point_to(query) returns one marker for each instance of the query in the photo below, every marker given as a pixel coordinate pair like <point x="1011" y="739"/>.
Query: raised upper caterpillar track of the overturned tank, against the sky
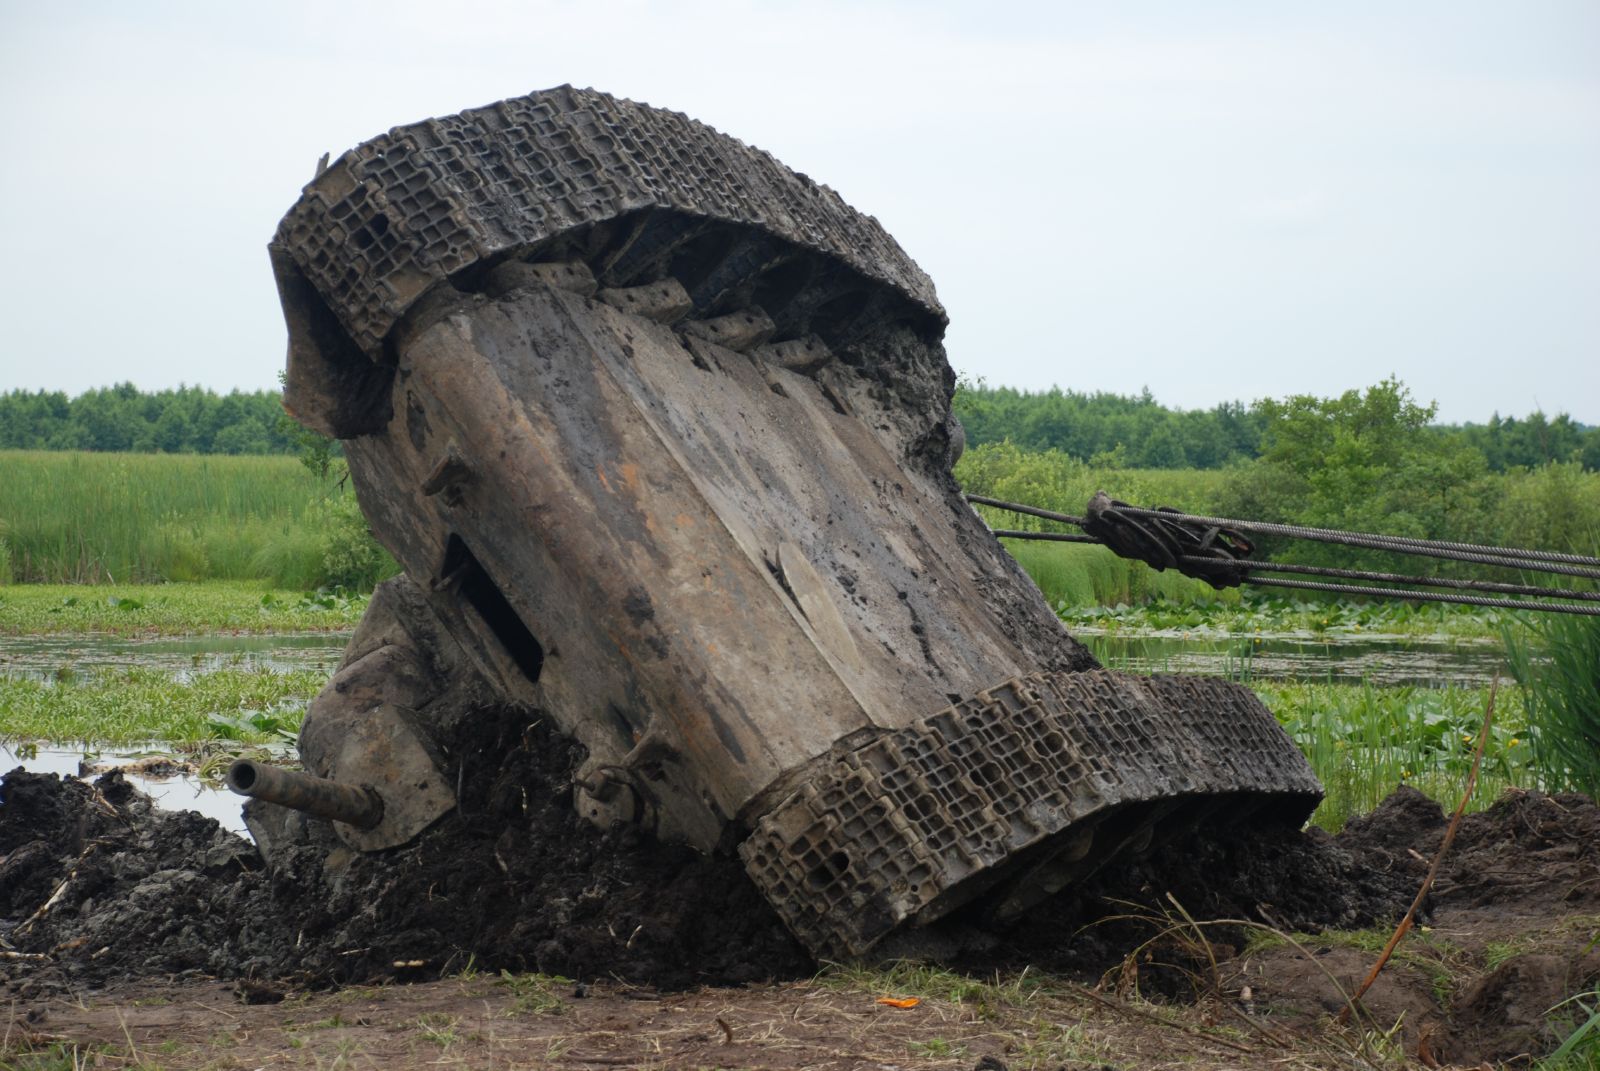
<point x="634" y="191"/>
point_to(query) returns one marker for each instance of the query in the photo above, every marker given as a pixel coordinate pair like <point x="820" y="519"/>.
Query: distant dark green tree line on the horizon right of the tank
<point x="1137" y="431"/>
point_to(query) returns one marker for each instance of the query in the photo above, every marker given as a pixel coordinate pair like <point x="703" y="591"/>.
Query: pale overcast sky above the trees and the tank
<point x="1217" y="201"/>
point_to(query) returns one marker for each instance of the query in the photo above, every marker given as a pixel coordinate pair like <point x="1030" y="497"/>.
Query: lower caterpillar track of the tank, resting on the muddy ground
<point x="922" y="820"/>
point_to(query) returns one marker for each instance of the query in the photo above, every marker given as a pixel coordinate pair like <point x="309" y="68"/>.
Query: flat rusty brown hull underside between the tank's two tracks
<point x="726" y="566"/>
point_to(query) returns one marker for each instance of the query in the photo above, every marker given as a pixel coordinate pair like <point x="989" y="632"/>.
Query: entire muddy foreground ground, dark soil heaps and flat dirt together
<point x="146" y="933"/>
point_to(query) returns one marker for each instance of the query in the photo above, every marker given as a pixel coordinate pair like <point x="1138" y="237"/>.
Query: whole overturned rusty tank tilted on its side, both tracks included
<point x="662" y="436"/>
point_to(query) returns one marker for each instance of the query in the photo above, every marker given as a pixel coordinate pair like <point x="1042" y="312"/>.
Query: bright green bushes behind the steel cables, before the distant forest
<point x="1364" y="462"/>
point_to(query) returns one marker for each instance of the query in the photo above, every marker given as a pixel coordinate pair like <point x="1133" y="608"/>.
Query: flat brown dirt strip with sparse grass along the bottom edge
<point x="529" y="1024"/>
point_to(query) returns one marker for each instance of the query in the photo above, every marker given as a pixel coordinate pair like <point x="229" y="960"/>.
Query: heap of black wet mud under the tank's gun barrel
<point x="510" y="880"/>
